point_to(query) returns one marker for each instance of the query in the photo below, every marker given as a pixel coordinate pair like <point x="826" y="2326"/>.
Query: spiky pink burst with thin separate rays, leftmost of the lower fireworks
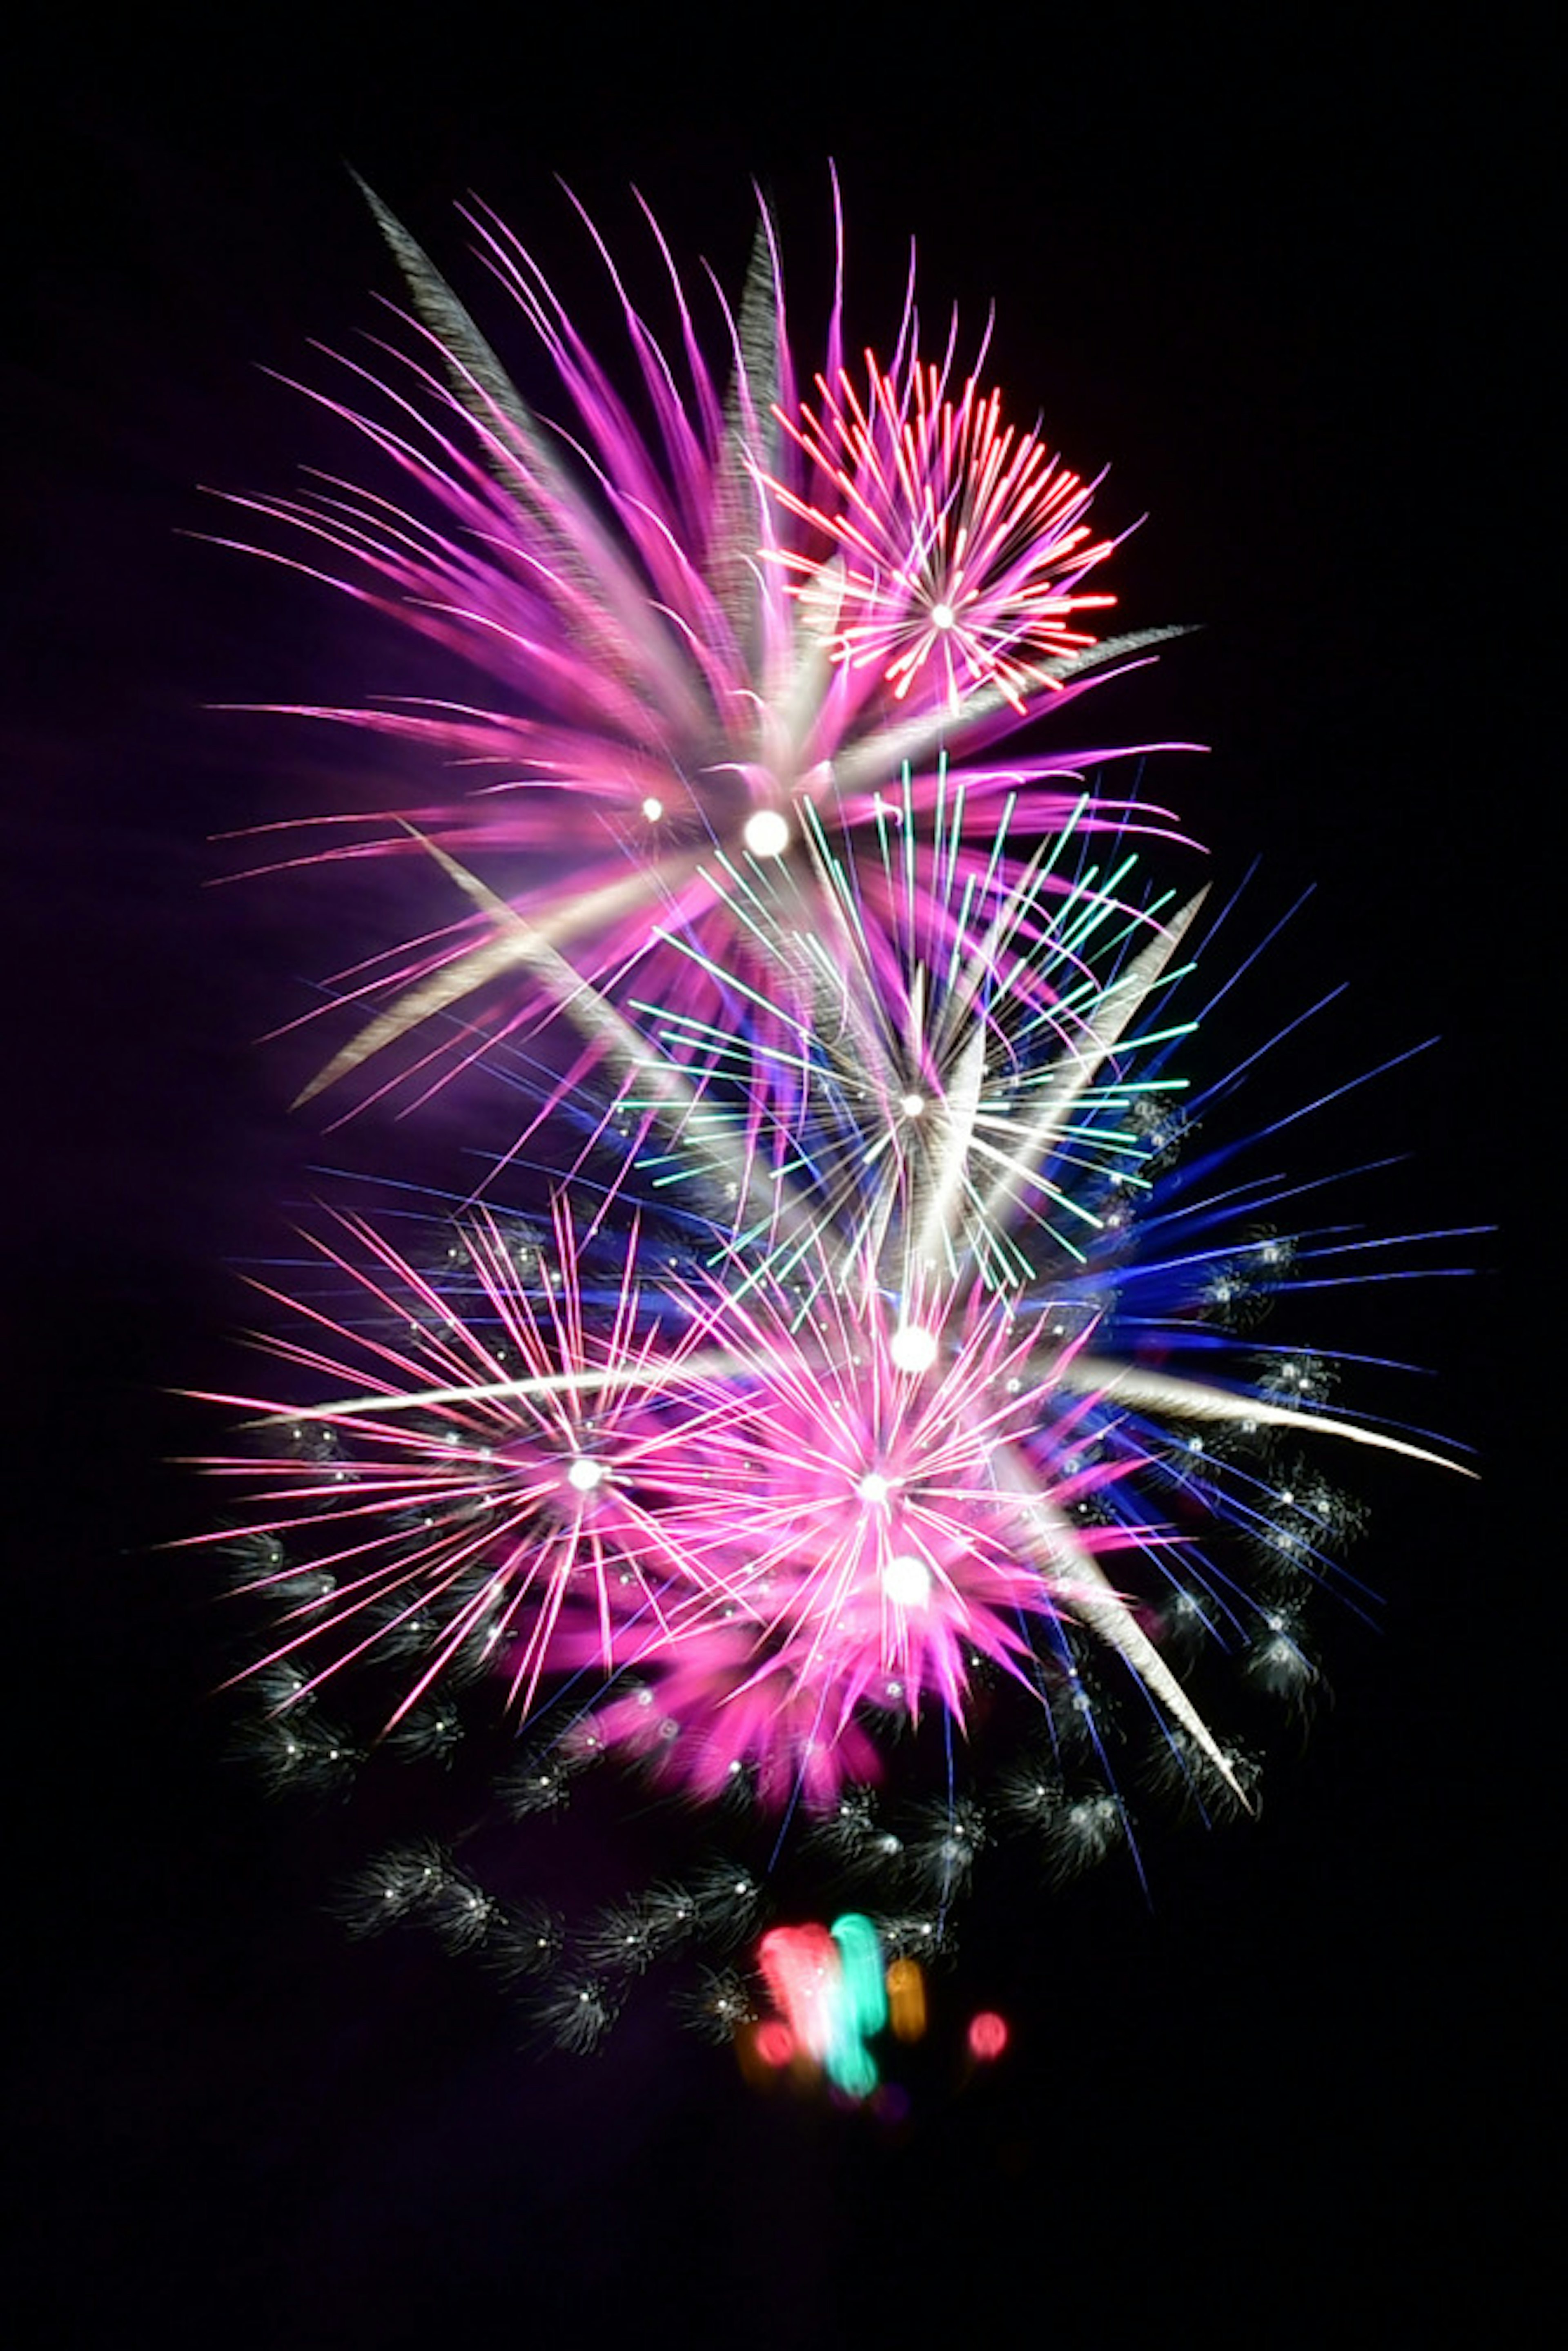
<point x="485" y="1466"/>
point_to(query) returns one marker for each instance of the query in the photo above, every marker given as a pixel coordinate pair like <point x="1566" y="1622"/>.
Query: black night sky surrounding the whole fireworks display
<point x="1278" y="283"/>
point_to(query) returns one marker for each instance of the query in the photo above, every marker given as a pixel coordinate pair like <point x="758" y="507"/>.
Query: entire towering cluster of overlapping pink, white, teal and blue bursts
<point x="880" y="1358"/>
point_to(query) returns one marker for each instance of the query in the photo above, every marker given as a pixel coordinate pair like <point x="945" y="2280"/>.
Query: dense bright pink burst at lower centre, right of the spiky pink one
<point x="885" y="1513"/>
